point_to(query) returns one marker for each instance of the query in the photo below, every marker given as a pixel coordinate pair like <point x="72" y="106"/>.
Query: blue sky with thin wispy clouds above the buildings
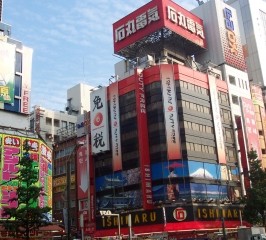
<point x="71" y="40"/>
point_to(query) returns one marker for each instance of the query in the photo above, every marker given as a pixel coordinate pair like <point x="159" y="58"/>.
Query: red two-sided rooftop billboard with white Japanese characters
<point x="154" y="16"/>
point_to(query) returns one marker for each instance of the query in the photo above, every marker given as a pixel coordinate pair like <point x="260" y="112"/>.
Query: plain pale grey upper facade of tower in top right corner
<point x="252" y="19"/>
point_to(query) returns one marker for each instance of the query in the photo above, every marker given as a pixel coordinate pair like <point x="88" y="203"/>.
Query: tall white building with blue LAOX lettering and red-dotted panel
<point x="226" y="52"/>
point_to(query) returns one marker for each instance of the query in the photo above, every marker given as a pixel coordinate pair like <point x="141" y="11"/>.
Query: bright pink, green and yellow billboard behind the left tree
<point x="11" y="147"/>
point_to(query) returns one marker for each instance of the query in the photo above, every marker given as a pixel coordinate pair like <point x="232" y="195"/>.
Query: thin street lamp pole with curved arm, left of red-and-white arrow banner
<point x="68" y="182"/>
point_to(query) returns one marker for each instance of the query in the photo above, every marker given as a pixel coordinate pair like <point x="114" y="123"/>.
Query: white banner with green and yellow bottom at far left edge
<point x="7" y="72"/>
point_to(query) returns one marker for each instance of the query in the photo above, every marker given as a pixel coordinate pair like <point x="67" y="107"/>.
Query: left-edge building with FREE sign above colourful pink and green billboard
<point x="15" y="87"/>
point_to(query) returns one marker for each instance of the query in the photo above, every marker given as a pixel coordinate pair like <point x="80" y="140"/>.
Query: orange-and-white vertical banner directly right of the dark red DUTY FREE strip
<point x="170" y="113"/>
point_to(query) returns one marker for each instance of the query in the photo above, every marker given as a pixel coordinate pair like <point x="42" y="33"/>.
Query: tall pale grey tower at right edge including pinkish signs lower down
<point x="252" y="21"/>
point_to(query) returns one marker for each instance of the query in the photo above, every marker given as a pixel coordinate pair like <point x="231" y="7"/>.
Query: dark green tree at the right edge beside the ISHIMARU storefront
<point x="255" y="200"/>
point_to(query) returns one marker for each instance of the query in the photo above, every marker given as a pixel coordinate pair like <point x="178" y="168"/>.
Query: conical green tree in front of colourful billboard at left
<point x="28" y="215"/>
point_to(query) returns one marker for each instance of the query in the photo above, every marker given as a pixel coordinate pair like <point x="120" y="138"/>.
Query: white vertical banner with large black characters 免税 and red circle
<point x="99" y="121"/>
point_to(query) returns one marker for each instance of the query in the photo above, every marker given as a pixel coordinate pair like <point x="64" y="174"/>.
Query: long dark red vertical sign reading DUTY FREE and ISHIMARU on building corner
<point x="144" y="150"/>
